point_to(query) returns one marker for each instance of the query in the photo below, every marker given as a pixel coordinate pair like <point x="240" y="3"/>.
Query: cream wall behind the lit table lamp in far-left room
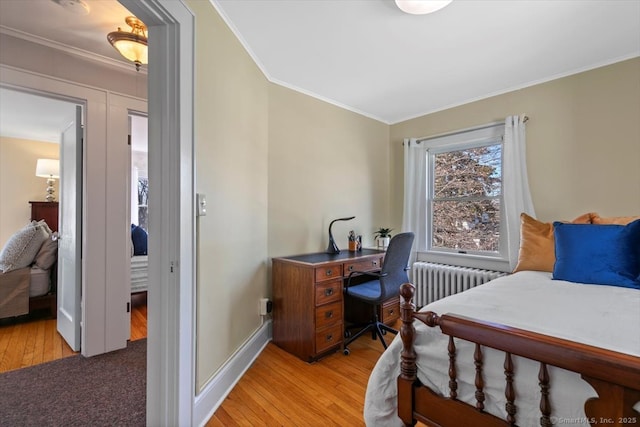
<point x="18" y="182"/>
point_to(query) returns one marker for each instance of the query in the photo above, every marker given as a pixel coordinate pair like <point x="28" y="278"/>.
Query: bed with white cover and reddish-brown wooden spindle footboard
<point x="473" y="358"/>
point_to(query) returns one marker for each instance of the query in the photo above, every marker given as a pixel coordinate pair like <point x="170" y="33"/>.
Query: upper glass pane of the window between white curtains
<point x="469" y="172"/>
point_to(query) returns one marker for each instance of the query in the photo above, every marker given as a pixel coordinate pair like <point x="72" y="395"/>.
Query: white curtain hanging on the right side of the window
<point x="517" y="197"/>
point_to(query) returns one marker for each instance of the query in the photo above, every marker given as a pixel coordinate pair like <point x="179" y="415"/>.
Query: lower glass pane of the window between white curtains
<point x="467" y="225"/>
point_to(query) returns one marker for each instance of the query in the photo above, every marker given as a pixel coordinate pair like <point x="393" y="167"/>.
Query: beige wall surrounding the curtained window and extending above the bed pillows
<point x="583" y="141"/>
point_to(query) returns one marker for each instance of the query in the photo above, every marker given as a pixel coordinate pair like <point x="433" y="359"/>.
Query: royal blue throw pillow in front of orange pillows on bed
<point x="603" y="254"/>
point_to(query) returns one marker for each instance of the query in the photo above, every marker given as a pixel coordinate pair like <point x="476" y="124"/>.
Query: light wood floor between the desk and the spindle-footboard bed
<point x="281" y="390"/>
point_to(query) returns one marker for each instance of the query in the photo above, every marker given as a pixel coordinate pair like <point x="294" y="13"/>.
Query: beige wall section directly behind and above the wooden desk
<point x="324" y="163"/>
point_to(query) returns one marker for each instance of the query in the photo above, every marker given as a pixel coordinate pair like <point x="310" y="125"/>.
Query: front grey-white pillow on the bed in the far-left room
<point x="22" y="248"/>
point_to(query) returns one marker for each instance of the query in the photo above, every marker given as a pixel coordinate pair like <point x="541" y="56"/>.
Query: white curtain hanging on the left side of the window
<point x="415" y="194"/>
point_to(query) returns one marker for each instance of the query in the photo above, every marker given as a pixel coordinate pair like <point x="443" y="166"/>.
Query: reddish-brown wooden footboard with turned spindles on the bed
<point x="614" y="376"/>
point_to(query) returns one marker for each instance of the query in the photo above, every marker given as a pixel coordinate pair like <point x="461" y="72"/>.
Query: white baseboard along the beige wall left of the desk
<point x="214" y="393"/>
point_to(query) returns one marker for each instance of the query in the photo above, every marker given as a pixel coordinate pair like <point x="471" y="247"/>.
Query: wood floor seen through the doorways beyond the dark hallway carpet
<point x="32" y="340"/>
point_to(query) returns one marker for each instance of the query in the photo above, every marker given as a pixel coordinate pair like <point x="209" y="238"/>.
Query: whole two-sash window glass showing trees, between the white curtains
<point x="465" y="198"/>
